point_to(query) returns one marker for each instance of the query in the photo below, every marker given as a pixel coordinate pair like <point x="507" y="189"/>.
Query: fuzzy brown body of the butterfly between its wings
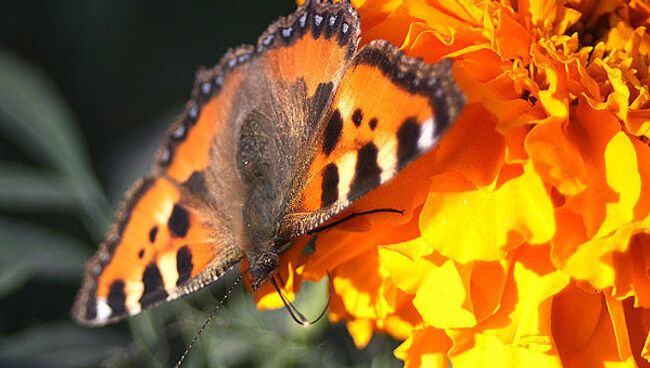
<point x="265" y="162"/>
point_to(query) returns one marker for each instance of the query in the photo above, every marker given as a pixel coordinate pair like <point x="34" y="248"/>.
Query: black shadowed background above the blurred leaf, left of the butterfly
<point x="121" y="64"/>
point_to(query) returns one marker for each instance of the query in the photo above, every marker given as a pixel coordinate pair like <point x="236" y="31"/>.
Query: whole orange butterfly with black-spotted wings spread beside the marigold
<point x="277" y="139"/>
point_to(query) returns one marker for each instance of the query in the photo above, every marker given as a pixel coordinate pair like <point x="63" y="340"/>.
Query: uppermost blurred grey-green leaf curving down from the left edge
<point x="35" y="116"/>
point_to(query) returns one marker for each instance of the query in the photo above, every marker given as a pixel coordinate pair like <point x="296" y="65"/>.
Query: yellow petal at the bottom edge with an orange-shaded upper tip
<point x="519" y="333"/>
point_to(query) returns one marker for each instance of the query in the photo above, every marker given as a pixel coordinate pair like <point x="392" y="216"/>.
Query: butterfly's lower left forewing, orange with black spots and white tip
<point x="160" y="247"/>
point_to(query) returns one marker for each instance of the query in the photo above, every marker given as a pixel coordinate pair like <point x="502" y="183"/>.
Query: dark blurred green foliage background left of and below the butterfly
<point x="86" y="90"/>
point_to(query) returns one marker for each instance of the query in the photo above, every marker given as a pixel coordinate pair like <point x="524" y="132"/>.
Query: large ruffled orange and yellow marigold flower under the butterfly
<point x="526" y="234"/>
